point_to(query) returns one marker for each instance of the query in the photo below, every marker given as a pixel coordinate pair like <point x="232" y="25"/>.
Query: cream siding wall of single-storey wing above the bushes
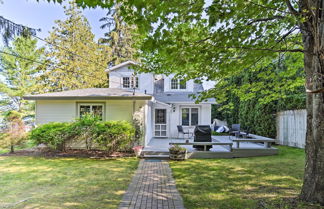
<point x="66" y="110"/>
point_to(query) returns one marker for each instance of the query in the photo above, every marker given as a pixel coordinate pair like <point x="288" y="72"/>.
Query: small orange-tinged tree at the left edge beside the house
<point x="14" y="132"/>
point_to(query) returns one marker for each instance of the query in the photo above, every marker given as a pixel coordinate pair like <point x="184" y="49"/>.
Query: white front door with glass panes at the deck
<point x="160" y="123"/>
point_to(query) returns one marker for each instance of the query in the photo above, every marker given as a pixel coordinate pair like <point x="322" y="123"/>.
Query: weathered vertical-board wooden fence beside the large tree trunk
<point x="291" y="128"/>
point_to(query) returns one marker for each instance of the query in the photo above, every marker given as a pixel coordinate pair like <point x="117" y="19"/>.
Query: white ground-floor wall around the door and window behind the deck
<point x="174" y="117"/>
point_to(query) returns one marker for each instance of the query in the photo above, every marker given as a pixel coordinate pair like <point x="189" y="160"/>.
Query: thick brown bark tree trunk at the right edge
<point x="313" y="39"/>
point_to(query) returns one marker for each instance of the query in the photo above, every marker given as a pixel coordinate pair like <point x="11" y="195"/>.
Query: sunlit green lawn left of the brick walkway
<point x="27" y="182"/>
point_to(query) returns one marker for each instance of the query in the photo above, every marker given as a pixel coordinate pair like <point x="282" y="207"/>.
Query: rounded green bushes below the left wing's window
<point x="110" y="136"/>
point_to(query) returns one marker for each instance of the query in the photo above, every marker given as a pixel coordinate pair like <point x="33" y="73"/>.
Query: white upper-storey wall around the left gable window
<point x="145" y="80"/>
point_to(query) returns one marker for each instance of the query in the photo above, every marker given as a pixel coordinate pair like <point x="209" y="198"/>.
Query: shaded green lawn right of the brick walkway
<point x="258" y="182"/>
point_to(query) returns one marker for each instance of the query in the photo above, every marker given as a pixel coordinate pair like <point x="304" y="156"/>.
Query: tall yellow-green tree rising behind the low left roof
<point x="75" y="59"/>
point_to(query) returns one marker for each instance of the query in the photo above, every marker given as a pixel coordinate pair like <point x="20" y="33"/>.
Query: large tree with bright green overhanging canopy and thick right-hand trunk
<point x="218" y="39"/>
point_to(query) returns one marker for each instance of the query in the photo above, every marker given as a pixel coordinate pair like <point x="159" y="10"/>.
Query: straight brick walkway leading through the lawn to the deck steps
<point x="152" y="187"/>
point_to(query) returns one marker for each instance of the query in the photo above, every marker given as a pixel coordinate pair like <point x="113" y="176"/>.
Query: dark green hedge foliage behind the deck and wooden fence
<point x="253" y="105"/>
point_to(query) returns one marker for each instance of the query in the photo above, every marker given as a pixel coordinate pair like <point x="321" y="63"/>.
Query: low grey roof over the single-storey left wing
<point x="90" y="93"/>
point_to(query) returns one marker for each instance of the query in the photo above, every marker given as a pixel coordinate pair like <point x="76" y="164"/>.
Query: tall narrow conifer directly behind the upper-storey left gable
<point x="119" y="37"/>
